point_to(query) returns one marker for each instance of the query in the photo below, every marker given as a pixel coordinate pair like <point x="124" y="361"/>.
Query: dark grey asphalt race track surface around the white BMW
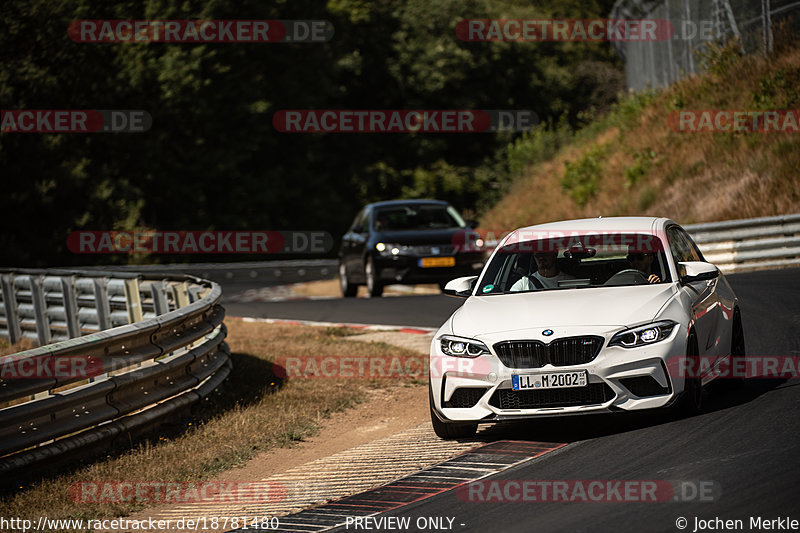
<point x="746" y="443"/>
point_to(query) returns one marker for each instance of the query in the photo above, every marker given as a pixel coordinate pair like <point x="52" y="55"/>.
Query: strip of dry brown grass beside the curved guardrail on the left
<point x="253" y="412"/>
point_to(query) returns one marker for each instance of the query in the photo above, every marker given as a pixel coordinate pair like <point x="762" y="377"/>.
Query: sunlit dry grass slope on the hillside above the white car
<point x="689" y="177"/>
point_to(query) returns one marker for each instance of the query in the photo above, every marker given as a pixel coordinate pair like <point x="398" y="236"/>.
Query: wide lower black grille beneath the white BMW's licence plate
<point x="594" y="393"/>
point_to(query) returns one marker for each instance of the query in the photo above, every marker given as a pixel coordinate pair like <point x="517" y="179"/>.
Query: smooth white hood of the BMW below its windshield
<point x="601" y="306"/>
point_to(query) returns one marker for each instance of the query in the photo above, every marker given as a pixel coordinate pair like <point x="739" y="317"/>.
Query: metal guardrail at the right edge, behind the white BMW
<point x="749" y="244"/>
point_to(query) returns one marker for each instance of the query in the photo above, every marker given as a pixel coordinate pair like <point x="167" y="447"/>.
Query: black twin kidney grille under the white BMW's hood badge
<point x="560" y="352"/>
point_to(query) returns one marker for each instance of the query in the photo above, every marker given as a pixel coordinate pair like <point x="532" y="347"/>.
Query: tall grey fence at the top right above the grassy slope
<point x="696" y="24"/>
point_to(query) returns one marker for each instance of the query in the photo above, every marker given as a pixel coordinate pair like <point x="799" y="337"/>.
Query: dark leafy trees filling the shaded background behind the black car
<point x="212" y="159"/>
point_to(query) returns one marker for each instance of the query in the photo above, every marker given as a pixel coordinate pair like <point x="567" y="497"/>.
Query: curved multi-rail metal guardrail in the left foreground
<point x="156" y="345"/>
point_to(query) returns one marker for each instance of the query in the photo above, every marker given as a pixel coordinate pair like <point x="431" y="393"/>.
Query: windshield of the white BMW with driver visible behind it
<point x="574" y="262"/>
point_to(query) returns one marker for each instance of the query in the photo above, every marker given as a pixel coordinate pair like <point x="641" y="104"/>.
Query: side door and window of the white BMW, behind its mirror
<point x="701" y="294"/>
